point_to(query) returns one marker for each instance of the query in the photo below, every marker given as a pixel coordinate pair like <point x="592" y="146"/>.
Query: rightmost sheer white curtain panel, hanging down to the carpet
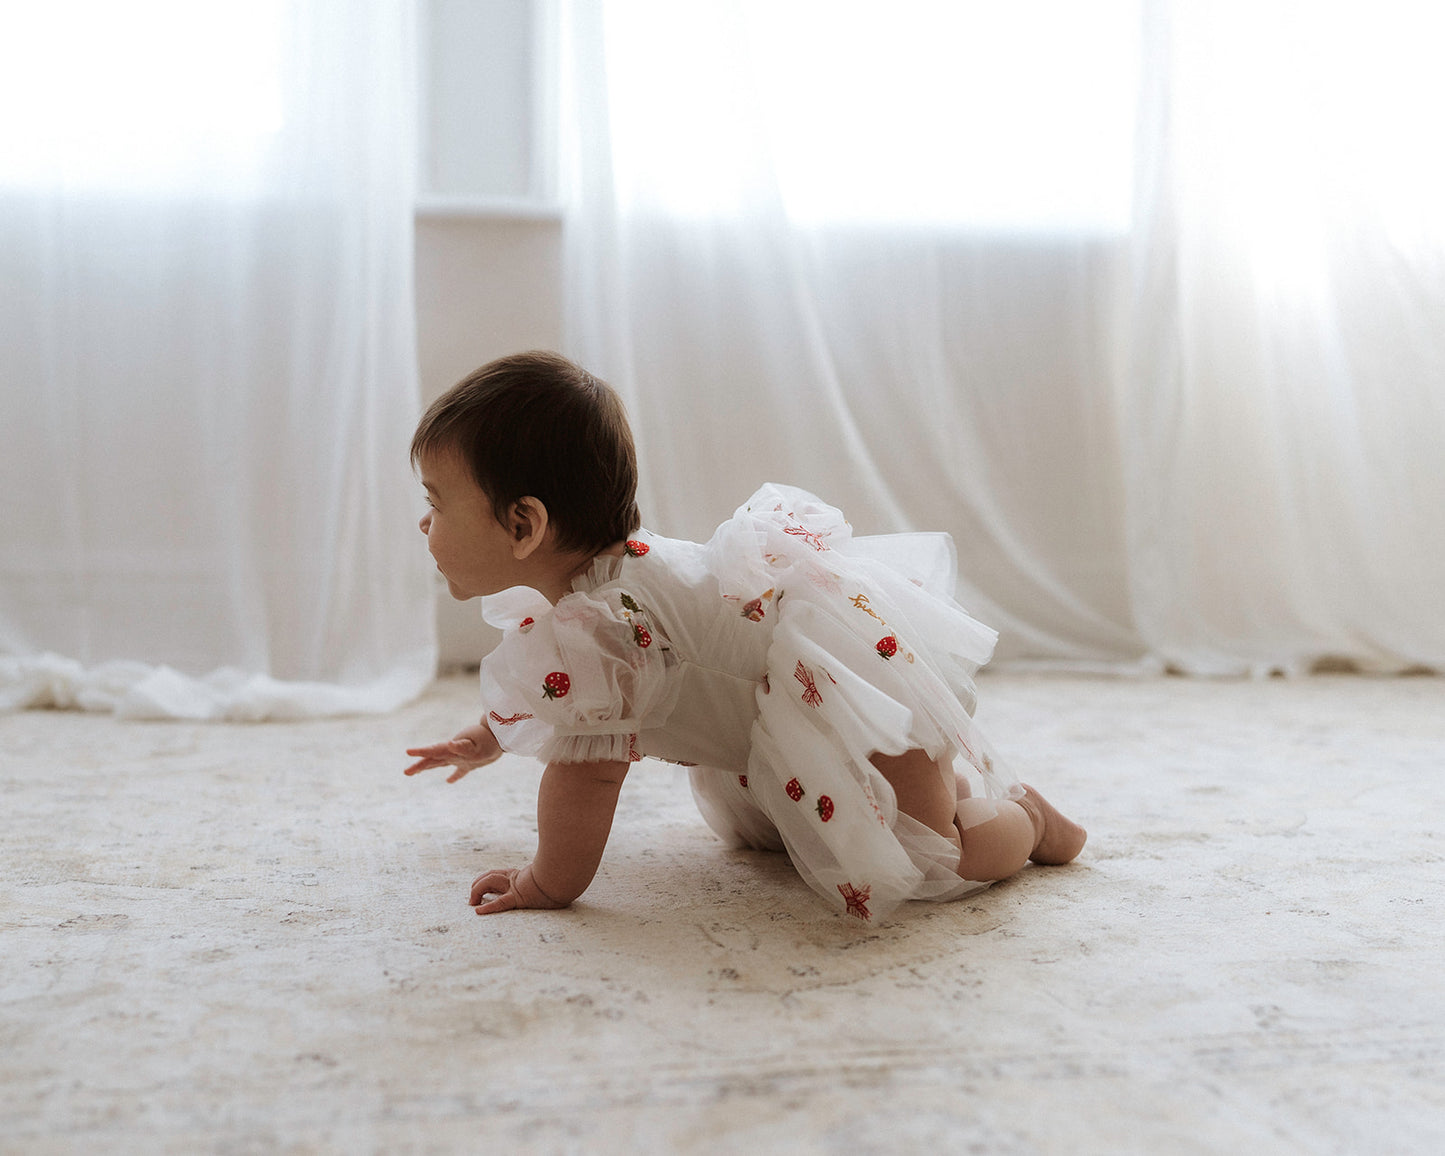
<point x="1284" y="418"/>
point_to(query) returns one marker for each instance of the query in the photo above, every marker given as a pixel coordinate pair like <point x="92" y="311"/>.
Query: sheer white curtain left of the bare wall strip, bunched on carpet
<point x="207" y="362"/>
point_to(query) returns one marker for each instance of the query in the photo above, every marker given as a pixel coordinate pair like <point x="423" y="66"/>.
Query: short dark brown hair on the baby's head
<point x="535" y="426"/>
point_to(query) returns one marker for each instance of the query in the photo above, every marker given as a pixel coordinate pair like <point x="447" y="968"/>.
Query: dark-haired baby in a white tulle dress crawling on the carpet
<point x="817" y="686"/>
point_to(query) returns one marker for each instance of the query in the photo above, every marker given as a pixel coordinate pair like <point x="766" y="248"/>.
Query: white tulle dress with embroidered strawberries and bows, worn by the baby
<point x="774" y="661"/>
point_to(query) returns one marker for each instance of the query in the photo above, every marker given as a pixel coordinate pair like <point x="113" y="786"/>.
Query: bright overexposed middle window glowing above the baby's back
<point x="988" y="116"/>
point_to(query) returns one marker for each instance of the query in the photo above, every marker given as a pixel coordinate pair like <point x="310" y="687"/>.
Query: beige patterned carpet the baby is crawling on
<point x="255" y="940"/>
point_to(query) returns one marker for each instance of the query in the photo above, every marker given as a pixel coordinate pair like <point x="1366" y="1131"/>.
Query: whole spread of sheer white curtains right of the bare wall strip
<point x="1034" y="275"/>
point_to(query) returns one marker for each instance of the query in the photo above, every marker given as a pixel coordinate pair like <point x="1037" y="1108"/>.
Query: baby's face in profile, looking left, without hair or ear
<point x="472" y="548"/>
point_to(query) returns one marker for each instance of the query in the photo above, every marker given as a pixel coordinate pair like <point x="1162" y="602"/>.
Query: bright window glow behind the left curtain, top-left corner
<point x="138" y="96"/>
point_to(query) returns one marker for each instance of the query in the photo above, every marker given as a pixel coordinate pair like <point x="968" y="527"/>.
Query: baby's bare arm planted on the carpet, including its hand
<point x="576" y="807"/>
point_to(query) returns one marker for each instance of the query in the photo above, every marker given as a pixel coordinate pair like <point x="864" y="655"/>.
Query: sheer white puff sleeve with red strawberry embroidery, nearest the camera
<point x="577" y="681"/>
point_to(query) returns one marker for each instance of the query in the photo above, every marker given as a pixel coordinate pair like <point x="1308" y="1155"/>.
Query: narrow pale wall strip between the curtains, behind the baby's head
<point x="488" y="236"/>
